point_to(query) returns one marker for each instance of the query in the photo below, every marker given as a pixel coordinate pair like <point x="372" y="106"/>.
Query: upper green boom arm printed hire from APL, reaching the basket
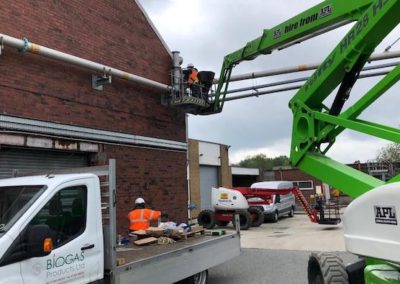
<point x="321" y="18"/>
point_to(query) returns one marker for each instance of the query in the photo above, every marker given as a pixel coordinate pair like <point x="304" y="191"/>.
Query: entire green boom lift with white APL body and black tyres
<point x="315" y="126"/>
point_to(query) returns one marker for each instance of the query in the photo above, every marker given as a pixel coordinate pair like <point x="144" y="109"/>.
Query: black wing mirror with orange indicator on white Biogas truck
<point x="40" y="242"/>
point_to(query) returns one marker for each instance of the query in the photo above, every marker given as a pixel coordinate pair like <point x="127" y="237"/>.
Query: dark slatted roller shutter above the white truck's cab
<point x="24" y="161"/>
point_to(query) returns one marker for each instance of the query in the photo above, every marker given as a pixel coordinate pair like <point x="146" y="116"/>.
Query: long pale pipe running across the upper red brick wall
<point x="25" y="46"/>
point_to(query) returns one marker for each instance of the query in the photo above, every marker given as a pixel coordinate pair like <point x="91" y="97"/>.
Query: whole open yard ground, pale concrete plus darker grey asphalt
<point x="278" y="252"/>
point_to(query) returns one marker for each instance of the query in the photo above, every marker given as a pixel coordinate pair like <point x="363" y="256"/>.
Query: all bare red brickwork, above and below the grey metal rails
<point x="114" y="33"/>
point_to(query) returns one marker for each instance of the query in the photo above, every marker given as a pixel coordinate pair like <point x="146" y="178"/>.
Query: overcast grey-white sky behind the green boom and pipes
<point x="204" y="31"/>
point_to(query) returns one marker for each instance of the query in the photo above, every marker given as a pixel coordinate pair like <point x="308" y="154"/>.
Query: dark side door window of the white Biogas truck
<point x="65" y="214"/>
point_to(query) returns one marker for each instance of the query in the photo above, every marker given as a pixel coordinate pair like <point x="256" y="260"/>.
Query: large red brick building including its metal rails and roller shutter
<point x="52" y="117"/>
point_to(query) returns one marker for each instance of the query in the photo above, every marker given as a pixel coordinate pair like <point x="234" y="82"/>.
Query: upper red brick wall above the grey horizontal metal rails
<point x="114" y="33"/>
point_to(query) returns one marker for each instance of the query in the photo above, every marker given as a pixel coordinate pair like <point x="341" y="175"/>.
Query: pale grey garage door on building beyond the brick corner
<point x="208" y="179"/>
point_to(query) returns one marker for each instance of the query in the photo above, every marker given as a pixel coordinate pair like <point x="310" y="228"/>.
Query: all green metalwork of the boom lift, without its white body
<point x="315" y="125"/>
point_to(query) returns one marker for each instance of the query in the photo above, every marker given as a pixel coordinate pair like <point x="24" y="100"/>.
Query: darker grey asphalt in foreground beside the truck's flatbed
<point x="256" y="266"/>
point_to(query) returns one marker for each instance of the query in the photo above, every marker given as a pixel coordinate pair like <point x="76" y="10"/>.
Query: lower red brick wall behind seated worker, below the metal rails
<point x="156" y="176"/>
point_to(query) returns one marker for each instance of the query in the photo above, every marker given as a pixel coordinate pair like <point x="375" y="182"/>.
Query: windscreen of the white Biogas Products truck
<point x="14" y="201"/>
